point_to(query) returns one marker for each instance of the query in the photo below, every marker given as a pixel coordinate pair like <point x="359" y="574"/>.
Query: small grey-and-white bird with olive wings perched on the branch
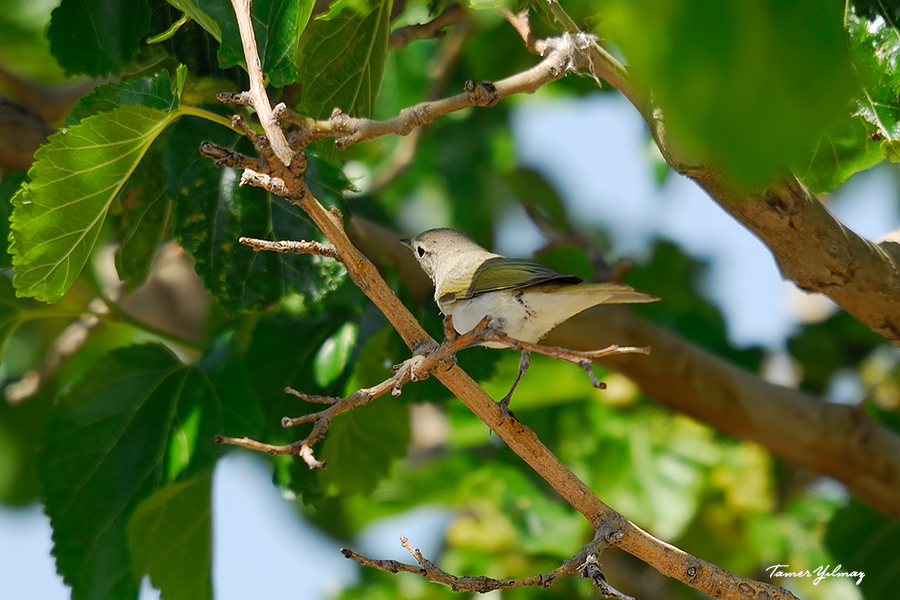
<point x="524" y="300"/>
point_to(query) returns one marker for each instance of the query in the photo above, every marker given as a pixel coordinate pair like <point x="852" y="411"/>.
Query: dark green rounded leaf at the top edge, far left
<point x="97" y="37"/>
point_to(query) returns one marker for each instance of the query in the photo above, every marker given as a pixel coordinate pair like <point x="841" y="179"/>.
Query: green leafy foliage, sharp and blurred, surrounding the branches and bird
<point x="758" y="89"/>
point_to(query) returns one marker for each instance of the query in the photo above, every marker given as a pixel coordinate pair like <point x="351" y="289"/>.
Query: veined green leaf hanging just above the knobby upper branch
<point x="342" y="61"/>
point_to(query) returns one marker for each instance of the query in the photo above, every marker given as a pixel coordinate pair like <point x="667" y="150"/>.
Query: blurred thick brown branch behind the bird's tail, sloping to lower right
<point x="834" y="439"/>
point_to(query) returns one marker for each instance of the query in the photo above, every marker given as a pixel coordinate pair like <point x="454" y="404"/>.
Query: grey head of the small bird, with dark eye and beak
<point x="446" y="254"/>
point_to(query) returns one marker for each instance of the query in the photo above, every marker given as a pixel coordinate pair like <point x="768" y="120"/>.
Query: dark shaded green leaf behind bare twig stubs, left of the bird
<point x="212" y="211"/>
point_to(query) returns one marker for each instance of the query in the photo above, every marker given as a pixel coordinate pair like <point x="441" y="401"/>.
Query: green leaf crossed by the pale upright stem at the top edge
<point x="277" y="26"/>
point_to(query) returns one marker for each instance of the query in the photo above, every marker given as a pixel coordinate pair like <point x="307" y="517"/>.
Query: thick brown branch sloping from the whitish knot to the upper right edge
<point x="811" y="247"/>
